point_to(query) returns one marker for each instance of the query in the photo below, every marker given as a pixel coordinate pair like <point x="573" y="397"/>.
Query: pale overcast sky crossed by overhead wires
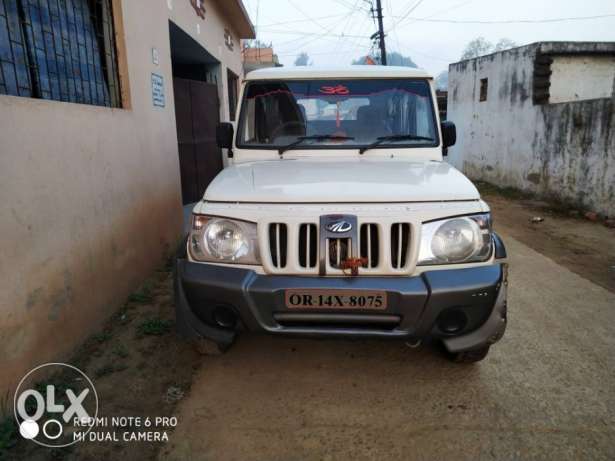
<point x="334" y="32"/>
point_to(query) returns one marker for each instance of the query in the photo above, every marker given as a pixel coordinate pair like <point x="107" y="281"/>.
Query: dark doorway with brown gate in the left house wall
<point x="197" y="113"/>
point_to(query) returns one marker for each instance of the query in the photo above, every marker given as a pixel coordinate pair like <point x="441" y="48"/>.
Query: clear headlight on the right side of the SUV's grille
<point x="456" y="240"/>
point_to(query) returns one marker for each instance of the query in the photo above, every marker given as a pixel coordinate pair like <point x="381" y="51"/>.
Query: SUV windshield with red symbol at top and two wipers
<point x="343" y="113"/>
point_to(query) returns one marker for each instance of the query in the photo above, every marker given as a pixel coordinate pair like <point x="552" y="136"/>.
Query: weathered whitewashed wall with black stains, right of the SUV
<point x="563" y="151"/>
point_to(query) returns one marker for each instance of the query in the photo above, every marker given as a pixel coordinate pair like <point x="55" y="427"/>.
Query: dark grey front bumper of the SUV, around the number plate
<point x="416" y="304"/>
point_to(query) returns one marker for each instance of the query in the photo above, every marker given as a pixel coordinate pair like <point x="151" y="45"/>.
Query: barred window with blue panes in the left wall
<point x="59" y="49"/>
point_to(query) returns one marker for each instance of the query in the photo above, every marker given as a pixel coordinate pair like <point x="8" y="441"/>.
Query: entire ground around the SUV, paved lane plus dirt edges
<point x="546" y="391"/>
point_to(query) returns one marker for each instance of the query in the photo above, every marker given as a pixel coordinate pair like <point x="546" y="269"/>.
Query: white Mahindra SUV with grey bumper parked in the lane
<point x="337" y="216"/>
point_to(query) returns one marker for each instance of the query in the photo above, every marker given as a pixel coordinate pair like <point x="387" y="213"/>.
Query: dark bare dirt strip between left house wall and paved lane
<point x="139" y="368"/>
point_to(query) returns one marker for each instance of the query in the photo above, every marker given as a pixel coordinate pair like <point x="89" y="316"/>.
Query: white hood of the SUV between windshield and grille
<point x="330" y="181"/>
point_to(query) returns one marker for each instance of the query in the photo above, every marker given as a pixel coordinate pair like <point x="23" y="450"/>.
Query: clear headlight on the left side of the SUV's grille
<point x="223" y="240"/>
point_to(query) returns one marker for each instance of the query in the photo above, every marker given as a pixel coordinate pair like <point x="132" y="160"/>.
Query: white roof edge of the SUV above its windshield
<point x="354" y="71"/>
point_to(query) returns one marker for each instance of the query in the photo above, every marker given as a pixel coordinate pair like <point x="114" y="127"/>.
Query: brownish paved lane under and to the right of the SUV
<point x="546" y="391"/>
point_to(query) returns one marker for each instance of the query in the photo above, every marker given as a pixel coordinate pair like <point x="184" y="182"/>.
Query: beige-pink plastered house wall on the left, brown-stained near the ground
<point x="91" y="195"/>
